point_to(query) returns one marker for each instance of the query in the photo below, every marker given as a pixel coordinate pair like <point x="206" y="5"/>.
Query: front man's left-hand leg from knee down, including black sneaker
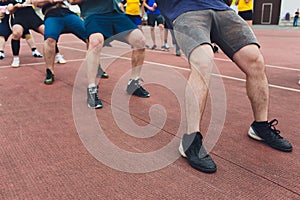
<point x="191" y="145"/>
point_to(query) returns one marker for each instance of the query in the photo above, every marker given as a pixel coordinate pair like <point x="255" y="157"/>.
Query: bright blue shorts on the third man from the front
<point x="71" y="23"/>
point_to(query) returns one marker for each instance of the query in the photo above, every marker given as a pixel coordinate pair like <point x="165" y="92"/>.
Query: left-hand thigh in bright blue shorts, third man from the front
<point x="53" y="27"/>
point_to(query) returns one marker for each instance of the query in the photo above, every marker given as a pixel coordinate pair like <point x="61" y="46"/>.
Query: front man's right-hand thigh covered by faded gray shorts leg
<point x="231" y="32"/>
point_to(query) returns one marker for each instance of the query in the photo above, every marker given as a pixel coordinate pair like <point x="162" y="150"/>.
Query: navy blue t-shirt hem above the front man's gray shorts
<point x="173" y="8"/>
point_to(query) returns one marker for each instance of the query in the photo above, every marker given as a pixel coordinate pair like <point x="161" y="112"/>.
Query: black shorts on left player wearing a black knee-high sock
<point x="29" y="22"/>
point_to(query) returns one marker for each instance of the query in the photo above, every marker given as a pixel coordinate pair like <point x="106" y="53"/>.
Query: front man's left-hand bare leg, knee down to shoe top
<point x="201" y="61"/>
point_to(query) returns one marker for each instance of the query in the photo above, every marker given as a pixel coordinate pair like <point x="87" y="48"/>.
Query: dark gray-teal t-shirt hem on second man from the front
<point x="91" y="7"/>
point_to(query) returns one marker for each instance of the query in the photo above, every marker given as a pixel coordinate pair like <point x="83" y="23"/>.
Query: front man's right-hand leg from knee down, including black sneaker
<point x="250" y="61"/>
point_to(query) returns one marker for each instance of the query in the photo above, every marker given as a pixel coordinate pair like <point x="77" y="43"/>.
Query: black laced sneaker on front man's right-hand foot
<point x="267" y="133"/>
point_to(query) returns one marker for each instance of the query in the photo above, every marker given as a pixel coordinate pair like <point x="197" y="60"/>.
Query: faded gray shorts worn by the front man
<point x="225" y="28"/>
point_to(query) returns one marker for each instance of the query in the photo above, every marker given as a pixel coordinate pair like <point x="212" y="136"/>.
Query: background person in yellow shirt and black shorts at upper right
<point x="245" y="10"/>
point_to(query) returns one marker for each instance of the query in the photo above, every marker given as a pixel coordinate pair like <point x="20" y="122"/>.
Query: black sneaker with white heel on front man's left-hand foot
<point x="191" y="148"/>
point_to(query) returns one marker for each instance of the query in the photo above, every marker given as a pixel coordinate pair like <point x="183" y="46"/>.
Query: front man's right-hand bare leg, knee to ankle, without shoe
<point x="251" y="62"/>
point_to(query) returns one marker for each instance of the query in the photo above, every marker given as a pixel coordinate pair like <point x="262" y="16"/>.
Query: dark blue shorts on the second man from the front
<point x="111" y="24"/>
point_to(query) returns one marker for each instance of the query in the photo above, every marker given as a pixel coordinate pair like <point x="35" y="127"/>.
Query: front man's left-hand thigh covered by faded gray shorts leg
<point x="193" y="29"/>
